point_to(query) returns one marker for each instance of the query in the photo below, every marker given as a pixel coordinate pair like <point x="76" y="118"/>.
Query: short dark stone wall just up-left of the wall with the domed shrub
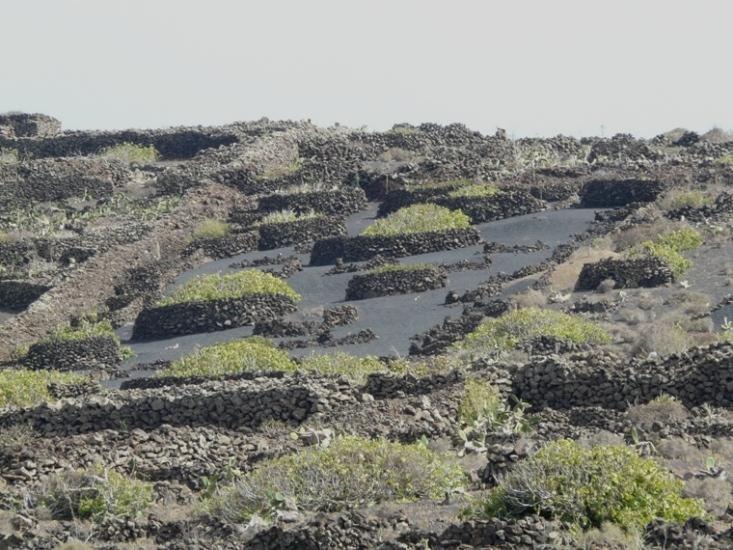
<point x="340" y="202"/>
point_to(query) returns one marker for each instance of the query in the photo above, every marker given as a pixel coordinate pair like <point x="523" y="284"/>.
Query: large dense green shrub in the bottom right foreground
<point x="588" y="487"/>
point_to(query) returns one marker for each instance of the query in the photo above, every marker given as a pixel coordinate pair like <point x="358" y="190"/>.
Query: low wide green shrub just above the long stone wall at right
<point x="520" y="326"/>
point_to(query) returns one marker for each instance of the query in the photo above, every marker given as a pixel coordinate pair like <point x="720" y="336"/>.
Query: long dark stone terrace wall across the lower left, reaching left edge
<point x="230" y="403"/>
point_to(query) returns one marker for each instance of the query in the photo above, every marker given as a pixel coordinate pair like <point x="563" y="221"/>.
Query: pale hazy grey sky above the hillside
<point x="534" y="67"/>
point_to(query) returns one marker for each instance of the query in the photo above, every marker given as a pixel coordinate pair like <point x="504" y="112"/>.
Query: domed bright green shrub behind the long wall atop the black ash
<point x="418" y="218"/>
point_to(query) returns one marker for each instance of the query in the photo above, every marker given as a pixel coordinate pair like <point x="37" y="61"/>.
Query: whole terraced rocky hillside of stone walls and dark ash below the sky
<point x="619" y="249"/>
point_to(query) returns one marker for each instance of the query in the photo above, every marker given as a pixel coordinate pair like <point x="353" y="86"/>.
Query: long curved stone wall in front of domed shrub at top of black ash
<point x="365" y="247"/>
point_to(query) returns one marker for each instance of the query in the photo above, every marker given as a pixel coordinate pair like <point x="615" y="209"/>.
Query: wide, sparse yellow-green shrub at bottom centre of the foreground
<point x="351" y="472"/>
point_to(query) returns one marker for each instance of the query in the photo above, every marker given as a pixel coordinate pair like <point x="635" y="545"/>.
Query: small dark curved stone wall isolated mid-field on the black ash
<point x="395" y="281"/>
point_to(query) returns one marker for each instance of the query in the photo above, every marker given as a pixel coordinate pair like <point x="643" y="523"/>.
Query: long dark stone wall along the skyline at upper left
<point x="176" y="143"/>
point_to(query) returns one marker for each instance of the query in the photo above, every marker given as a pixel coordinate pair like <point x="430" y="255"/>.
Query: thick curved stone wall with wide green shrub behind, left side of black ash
<point x="209" y="316"/>
